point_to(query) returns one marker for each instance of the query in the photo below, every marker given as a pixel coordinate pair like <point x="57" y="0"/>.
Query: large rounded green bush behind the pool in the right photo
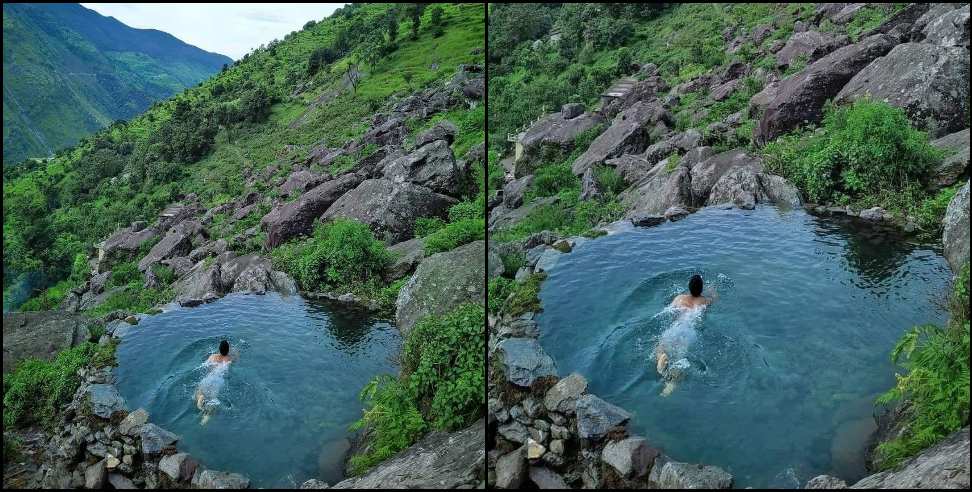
<point x="864" y="148"/>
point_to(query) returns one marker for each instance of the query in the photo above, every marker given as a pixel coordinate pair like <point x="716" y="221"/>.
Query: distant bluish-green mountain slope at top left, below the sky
<point x="69" y="71"/>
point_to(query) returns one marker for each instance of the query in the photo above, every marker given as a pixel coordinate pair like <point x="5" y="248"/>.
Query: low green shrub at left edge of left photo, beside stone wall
<point x="35" y="390"/>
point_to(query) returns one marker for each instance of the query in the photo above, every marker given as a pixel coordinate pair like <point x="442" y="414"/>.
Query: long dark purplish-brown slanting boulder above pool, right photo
<point x="800" y="98"/>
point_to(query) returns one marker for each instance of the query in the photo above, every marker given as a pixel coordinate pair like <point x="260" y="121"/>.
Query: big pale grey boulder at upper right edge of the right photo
<point x="930" y="82"/>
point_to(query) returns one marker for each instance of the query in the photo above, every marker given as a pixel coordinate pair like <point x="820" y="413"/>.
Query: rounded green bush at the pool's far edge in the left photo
<point x="341" y="254"/>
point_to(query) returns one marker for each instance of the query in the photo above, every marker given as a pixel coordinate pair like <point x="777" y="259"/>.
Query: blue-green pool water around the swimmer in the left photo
<point x="284" y="405"/>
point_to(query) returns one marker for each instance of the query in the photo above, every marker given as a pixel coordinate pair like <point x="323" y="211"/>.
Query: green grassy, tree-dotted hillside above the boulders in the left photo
<point x="268" y="109"/>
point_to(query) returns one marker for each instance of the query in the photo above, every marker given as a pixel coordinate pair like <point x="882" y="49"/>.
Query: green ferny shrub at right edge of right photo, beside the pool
<point x="936" y="385"/>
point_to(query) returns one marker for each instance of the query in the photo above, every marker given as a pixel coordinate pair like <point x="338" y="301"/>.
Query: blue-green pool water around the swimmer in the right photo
<point x="781" y="371"/>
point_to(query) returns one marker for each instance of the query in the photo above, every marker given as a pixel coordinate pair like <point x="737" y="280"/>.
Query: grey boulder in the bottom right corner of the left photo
<point x="438" y="460"/>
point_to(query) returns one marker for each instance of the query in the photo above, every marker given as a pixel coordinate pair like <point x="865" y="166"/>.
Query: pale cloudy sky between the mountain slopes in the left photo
<point x="228" y="29"/>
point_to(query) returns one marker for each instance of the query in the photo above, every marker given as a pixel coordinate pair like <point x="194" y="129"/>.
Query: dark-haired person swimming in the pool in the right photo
<point x="676" y="339"/>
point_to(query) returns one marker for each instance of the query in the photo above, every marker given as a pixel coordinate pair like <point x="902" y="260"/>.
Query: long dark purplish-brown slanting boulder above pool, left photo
<point x="292" y="219"/>
